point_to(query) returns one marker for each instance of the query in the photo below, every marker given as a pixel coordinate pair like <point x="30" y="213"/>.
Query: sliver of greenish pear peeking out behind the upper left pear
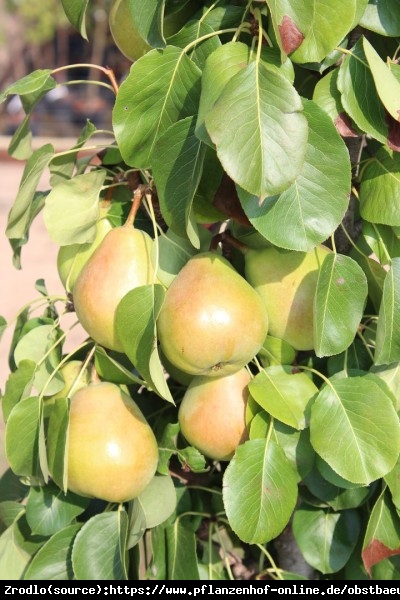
<point x="72" y="258"/>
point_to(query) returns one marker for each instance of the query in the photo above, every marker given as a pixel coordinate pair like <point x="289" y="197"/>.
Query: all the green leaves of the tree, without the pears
<point x="257" y="123"/>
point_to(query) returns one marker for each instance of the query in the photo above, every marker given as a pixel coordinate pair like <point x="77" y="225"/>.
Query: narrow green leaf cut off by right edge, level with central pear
<point x="387" y="348"/>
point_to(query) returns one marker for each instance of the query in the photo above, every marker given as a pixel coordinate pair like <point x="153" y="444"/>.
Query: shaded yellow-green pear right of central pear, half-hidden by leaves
<point x="286" y="281"/>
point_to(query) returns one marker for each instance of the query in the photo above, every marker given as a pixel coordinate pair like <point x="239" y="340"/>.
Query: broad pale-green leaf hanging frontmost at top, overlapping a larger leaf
<point x="259" y="130"/>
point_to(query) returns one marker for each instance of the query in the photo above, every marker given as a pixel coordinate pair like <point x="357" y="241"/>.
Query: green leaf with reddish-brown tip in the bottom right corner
<point x="382" y="535"/>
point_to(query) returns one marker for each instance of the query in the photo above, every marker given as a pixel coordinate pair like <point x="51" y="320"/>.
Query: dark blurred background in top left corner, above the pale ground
<point x="37" y="35"/>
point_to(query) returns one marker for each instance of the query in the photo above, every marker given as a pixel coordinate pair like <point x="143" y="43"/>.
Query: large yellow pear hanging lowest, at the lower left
<point x="112" y="451"/>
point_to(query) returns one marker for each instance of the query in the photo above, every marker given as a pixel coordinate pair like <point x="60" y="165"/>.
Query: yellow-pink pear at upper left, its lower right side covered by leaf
<point x="119" y="264"/>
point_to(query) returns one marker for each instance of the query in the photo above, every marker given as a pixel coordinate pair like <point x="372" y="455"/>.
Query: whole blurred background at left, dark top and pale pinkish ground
<point x="37" y="35"/>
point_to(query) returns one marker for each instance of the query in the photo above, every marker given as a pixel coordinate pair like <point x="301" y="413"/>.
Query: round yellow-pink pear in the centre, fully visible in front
<point x="212" y="322"/>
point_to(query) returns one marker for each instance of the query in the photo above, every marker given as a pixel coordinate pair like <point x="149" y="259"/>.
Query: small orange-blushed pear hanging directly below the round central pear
<point x="212" y="414"/>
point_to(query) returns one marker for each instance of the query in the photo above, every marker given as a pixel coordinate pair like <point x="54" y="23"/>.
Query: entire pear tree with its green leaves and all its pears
<point x="231" y="248"/>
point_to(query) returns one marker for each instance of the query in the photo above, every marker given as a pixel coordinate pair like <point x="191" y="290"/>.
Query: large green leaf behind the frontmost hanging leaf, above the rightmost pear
<point x="316" y="201"/>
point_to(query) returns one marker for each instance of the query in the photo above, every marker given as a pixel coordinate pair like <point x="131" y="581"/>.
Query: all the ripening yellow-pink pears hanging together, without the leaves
<point x="212" y="323"/>
